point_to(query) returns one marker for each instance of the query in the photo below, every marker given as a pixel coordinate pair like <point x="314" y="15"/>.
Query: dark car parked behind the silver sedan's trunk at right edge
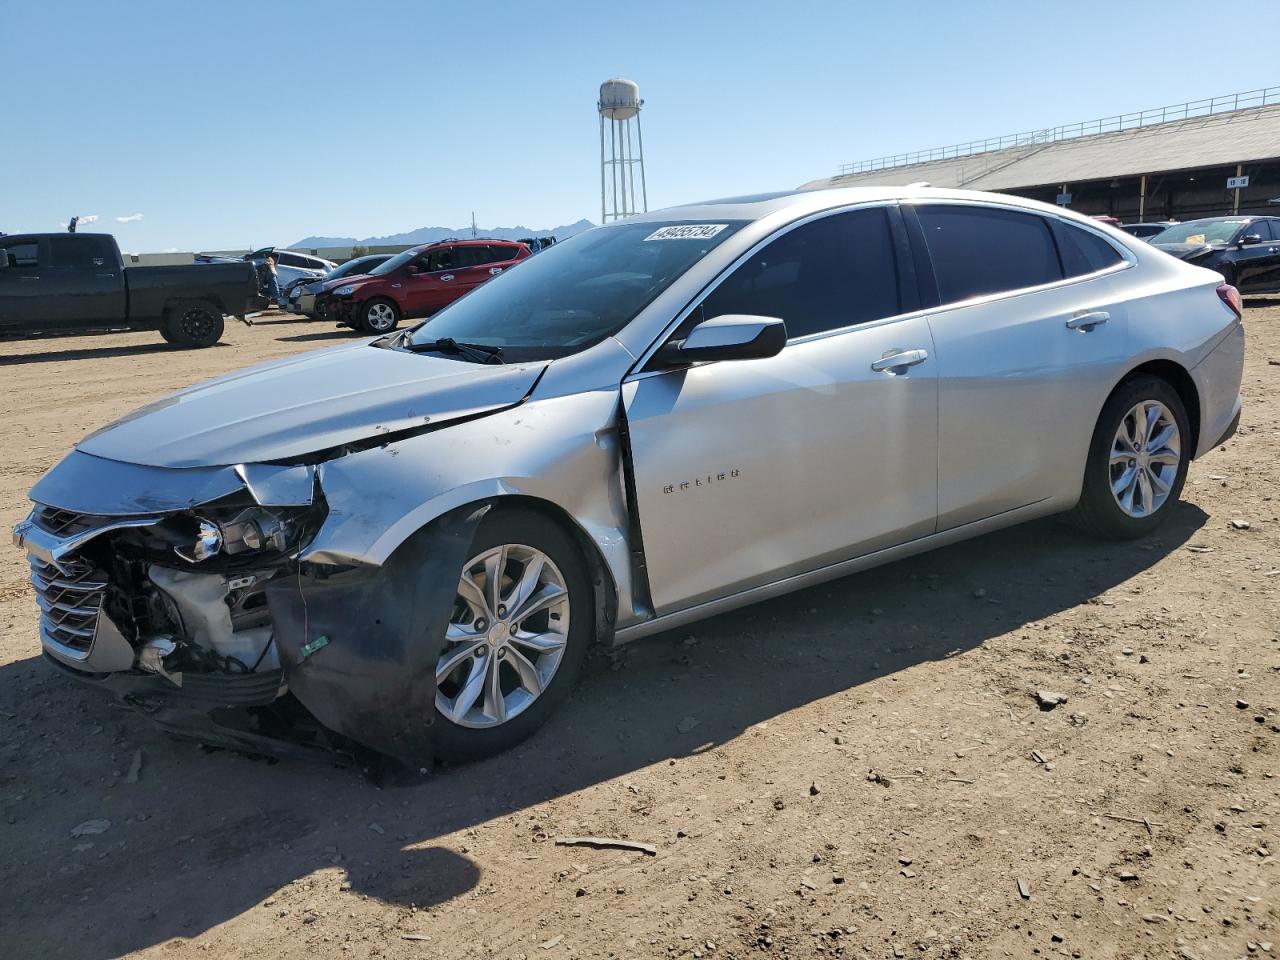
<point x="1246" y="250"/>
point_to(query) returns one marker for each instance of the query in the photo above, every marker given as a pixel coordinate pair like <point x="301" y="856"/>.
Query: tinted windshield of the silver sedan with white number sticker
<point x="578" y="292"/>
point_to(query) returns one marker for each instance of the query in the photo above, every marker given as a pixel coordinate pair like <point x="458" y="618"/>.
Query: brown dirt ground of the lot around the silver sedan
<point x="854" y="771"/>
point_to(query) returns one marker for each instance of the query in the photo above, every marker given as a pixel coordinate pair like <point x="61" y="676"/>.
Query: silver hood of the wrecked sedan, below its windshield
<point x="307" y="404"/>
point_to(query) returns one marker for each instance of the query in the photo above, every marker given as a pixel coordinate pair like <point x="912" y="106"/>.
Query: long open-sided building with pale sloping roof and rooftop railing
<point x="1176" y="162"/>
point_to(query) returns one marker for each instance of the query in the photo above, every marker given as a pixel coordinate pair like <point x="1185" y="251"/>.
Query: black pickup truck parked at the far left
<point x="77" y="282"/>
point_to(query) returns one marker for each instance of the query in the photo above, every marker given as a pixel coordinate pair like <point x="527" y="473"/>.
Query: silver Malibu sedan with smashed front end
<point x="417" y="538"/>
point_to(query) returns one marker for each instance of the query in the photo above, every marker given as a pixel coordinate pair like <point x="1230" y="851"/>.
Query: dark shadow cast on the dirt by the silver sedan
<point x="204" y="838"/>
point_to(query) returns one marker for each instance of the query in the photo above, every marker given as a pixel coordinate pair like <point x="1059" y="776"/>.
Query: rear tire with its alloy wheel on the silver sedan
<point x="1155" y="472"/>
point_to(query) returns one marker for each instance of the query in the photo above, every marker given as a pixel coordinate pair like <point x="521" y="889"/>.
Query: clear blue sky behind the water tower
<point x="228" y="125"/>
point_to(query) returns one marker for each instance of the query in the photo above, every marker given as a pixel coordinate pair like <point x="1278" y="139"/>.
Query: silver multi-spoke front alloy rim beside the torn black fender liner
<point x="506" y="638"/>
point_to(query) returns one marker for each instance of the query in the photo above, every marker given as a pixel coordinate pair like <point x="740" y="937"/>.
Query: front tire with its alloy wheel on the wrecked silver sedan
<point x="481" y="733"/>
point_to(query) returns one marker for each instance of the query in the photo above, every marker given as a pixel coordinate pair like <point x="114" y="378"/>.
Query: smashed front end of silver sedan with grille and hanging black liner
<point x="204" y="614"/>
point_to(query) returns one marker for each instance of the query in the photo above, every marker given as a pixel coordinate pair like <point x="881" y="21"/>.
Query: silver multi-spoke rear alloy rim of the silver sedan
<point x="1145" y="459"/>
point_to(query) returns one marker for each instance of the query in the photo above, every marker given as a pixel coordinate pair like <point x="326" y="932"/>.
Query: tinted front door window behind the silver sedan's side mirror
<point x="828" y="275"/>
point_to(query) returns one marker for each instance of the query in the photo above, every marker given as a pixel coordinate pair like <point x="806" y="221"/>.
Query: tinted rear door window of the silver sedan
<point x="979" y="252"/>
